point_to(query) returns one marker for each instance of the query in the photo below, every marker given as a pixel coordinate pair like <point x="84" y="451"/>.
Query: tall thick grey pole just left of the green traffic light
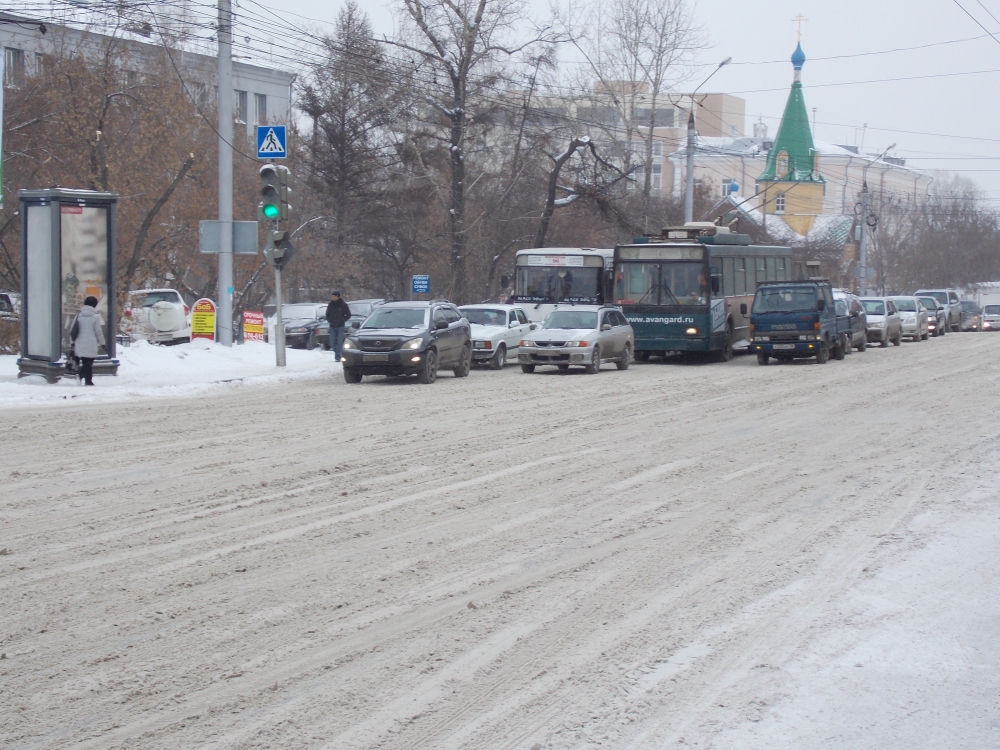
<point x="226" y="173"/>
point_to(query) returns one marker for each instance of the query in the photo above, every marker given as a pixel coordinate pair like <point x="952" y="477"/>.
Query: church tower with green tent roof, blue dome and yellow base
<point x="791" y="186"/>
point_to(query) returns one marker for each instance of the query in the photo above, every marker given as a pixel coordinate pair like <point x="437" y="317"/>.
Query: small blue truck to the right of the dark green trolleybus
<point x="793" y="320"/>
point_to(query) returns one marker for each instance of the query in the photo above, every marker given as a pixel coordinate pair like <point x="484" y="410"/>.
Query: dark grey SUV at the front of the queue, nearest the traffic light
<point x="409" y="338"/>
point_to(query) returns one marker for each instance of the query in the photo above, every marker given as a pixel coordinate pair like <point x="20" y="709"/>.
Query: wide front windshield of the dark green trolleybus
<point x="656" y="283"/>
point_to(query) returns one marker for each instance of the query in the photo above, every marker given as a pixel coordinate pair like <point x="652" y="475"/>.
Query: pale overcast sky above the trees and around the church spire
<point x="938" y="121"/>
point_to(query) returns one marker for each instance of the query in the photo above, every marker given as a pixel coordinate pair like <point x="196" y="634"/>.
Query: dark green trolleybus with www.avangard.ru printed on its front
<point x="690" y="289"/>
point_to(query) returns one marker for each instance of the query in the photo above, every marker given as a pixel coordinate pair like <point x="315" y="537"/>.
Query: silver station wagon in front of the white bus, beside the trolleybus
<point x="579" y="335"/>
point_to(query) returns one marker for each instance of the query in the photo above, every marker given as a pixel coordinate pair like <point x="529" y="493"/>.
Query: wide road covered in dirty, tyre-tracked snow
<point x="726" y="556"/>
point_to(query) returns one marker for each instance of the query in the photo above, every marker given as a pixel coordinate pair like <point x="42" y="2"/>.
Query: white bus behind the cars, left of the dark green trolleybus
<point x="552" y="276"/>
